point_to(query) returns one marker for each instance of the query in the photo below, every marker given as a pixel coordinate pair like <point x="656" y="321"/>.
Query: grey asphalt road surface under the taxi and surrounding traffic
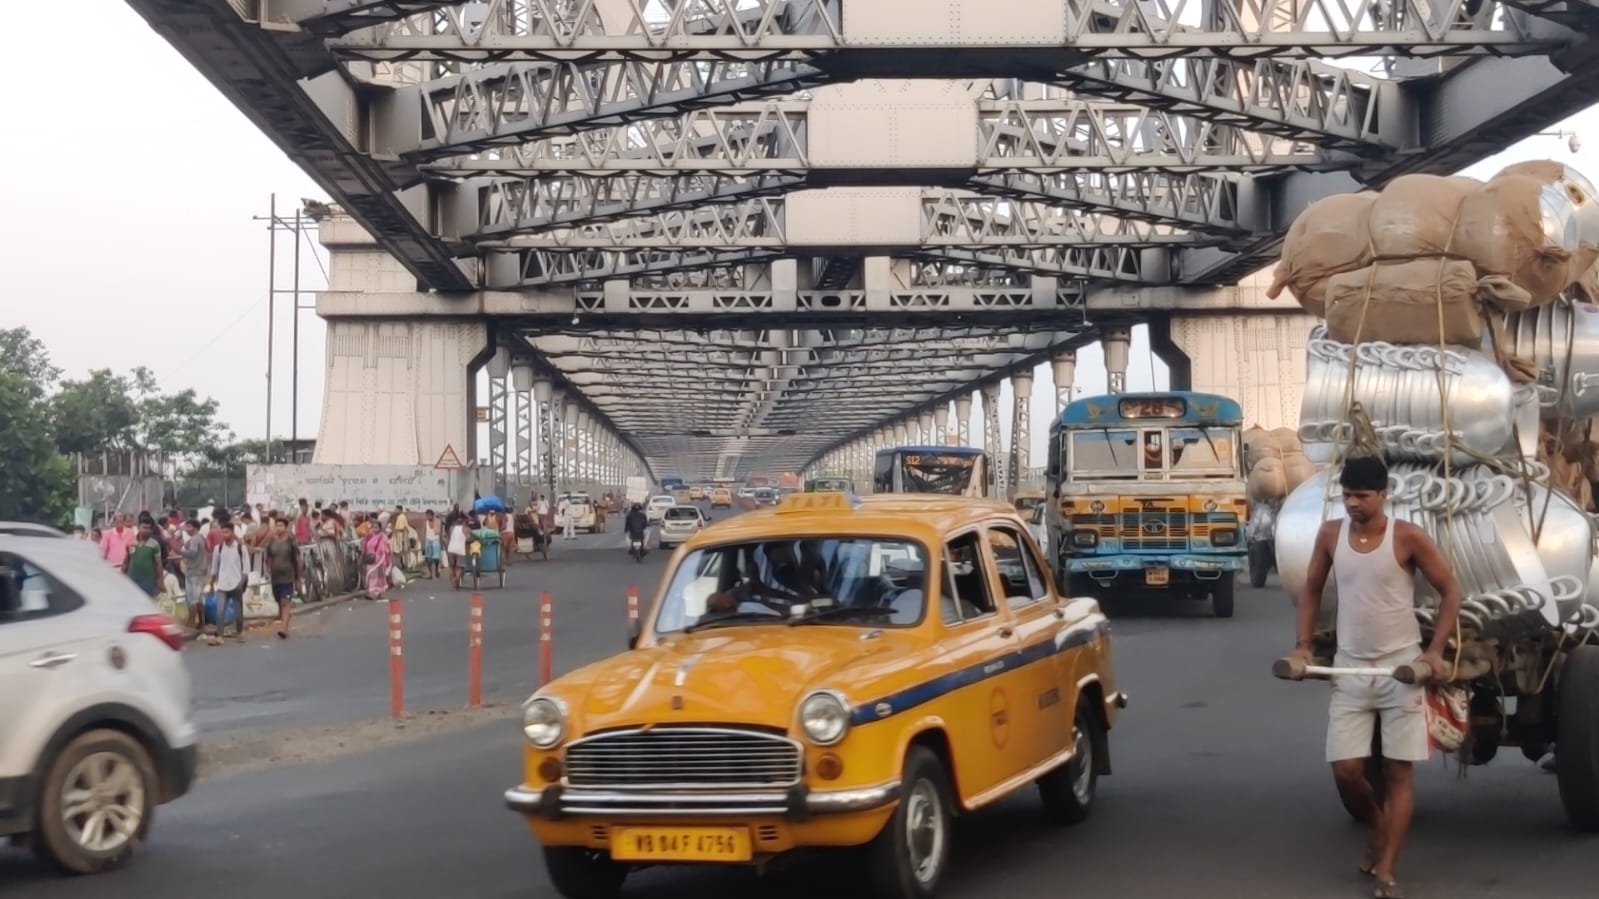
<point x="1219" y="788"/>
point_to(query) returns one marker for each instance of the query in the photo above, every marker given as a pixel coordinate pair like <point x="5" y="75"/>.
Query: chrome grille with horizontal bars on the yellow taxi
<point x="684" y="757"/>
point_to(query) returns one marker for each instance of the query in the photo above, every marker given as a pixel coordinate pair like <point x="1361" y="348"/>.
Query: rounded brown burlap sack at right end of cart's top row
<point x="1502" y="233"/>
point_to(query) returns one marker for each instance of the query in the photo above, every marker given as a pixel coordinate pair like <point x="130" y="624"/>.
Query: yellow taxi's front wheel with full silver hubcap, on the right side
<point x="909" y="857"/>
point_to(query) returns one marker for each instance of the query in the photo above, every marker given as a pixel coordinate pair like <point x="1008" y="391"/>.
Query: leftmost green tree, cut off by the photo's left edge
<point x="36" y="481"/>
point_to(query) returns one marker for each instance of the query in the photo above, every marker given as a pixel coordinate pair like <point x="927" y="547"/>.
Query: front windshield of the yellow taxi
<point x="848" y="581"/>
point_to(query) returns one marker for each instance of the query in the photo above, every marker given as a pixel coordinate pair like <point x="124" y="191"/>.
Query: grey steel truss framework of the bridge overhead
<point x="746" y="233"/>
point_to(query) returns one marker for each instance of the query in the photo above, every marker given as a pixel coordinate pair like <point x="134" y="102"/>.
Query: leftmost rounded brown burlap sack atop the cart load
<point x="1326" y="239"/>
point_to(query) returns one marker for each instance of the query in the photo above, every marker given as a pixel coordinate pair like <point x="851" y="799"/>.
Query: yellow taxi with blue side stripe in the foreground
<point x="829" y="673"/>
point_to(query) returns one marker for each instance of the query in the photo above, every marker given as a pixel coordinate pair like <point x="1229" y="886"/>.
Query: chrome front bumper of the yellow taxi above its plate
<point x="557" y="802"/>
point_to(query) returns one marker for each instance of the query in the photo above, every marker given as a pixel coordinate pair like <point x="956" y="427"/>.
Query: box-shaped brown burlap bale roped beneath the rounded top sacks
<point x="1405" y="300"/>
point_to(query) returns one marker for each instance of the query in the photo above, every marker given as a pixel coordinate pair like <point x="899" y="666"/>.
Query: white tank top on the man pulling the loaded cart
<point x="1376" y="599"/>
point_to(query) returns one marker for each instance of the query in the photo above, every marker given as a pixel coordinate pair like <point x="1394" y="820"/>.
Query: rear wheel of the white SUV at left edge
<point x="97" y="804"/>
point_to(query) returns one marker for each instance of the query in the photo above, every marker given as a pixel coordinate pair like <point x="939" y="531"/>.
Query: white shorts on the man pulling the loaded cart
<point x="1362" y="703"/>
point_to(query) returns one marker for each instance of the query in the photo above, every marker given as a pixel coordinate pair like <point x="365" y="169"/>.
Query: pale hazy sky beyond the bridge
<point x="129" y="236"/>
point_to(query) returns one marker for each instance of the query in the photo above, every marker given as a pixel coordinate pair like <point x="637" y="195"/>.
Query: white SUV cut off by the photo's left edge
<point x="94" y="700"/>
